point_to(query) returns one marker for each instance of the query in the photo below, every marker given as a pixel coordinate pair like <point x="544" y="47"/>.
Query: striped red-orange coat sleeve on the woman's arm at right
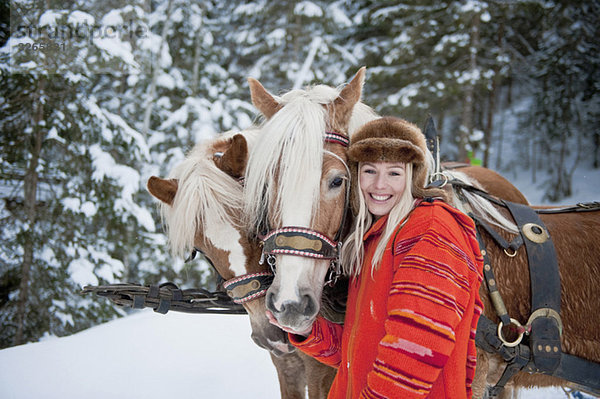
<point x="431" y="288"/>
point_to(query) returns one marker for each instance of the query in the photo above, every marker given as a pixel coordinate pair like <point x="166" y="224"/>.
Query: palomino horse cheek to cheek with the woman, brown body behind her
<point x="295" y="189"/>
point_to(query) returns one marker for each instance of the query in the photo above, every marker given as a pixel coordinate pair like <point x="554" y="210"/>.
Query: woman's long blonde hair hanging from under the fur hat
<point x="353" y="250"/>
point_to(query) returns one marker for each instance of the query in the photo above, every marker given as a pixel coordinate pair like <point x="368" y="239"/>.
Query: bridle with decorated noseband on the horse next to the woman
<point x="305" y="242"/>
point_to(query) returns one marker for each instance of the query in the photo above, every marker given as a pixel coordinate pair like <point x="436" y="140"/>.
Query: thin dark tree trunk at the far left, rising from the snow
<point x="30" y="198"/>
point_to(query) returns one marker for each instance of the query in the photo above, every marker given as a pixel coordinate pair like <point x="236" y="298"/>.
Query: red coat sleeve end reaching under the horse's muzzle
<point x="323" y="343"/>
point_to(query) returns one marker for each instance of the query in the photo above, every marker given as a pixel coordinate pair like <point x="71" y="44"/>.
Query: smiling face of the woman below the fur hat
<point x="382" y="185"/>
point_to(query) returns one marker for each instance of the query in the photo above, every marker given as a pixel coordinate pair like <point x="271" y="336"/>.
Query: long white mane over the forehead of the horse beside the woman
<point x="294" y="134"/>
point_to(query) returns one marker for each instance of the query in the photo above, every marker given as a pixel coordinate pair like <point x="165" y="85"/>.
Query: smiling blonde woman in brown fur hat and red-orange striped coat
<point x="415" y="268"/>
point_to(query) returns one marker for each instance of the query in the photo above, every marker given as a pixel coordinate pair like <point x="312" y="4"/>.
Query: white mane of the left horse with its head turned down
<point x="203" y="190"/>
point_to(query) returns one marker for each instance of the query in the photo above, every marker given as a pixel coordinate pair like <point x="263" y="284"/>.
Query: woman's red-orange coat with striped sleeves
<point x="409" y="329"/>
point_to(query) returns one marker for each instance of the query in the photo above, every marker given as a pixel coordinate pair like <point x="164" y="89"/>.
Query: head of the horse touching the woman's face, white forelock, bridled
<point x="297" y="189"/>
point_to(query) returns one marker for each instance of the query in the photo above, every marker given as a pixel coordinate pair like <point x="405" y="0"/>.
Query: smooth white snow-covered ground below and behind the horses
<point x="151" y="356"/>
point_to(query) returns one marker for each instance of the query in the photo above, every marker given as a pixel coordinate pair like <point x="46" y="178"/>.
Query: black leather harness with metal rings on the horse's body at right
<point x="542" y="352"/>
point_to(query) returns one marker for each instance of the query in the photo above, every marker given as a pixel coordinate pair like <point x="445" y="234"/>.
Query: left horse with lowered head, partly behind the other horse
<point x="200" y="204"/>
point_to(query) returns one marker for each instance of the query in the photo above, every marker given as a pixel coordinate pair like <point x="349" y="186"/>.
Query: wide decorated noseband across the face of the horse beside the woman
<point x="299" y="241"/>
